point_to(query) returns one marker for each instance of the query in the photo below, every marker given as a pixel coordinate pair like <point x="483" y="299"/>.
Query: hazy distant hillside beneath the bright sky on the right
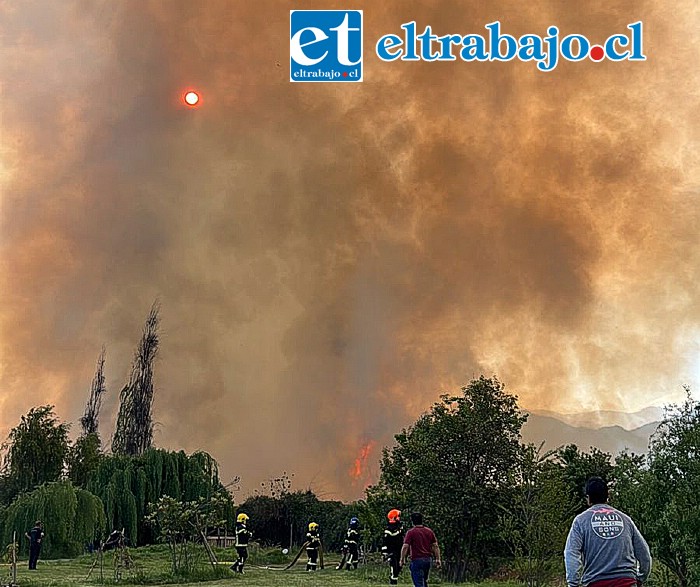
<point x="611" y="439"/>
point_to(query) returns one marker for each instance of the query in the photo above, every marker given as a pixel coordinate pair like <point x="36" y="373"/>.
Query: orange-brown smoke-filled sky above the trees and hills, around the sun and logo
<point x="329" y="258"/>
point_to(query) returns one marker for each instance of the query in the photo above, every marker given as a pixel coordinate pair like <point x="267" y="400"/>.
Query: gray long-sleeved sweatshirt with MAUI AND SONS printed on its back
<point x="604" y="543"/>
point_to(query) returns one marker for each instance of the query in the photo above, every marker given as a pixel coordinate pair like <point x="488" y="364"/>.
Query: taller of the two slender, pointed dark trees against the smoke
<point x="134" y="430"/>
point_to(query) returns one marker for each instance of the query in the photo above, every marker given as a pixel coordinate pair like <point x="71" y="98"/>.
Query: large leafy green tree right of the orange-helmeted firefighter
<point x="454" y="465"/>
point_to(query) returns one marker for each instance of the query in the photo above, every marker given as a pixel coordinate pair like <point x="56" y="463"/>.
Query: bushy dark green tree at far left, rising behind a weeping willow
<point x="35" y="452"/>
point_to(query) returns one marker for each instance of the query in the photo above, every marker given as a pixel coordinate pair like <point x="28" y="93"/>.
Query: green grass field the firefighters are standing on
<point x="152" y="567"/>
